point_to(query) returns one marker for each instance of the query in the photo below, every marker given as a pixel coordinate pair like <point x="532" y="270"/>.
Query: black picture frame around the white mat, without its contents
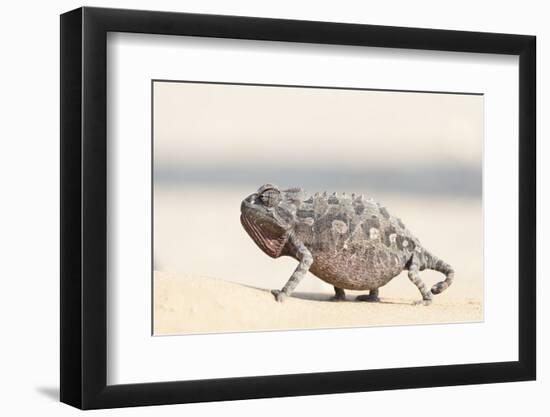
<point x="84" y="207"/>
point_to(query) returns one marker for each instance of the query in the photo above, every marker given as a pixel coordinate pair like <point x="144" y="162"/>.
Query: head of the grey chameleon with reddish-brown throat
<point x="268" y="216"/>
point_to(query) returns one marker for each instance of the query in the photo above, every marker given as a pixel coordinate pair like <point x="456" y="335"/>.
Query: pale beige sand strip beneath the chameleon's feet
<point x="186" y="304"/>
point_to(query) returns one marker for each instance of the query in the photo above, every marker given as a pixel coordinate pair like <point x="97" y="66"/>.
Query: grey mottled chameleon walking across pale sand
<point x="348" y="241"/>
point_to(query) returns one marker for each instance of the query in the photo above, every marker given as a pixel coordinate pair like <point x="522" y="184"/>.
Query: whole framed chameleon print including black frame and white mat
<point x="258" y="207"/>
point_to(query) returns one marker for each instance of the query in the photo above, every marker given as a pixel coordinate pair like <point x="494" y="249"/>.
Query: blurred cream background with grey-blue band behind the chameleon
<point x="420" y="154"/>
